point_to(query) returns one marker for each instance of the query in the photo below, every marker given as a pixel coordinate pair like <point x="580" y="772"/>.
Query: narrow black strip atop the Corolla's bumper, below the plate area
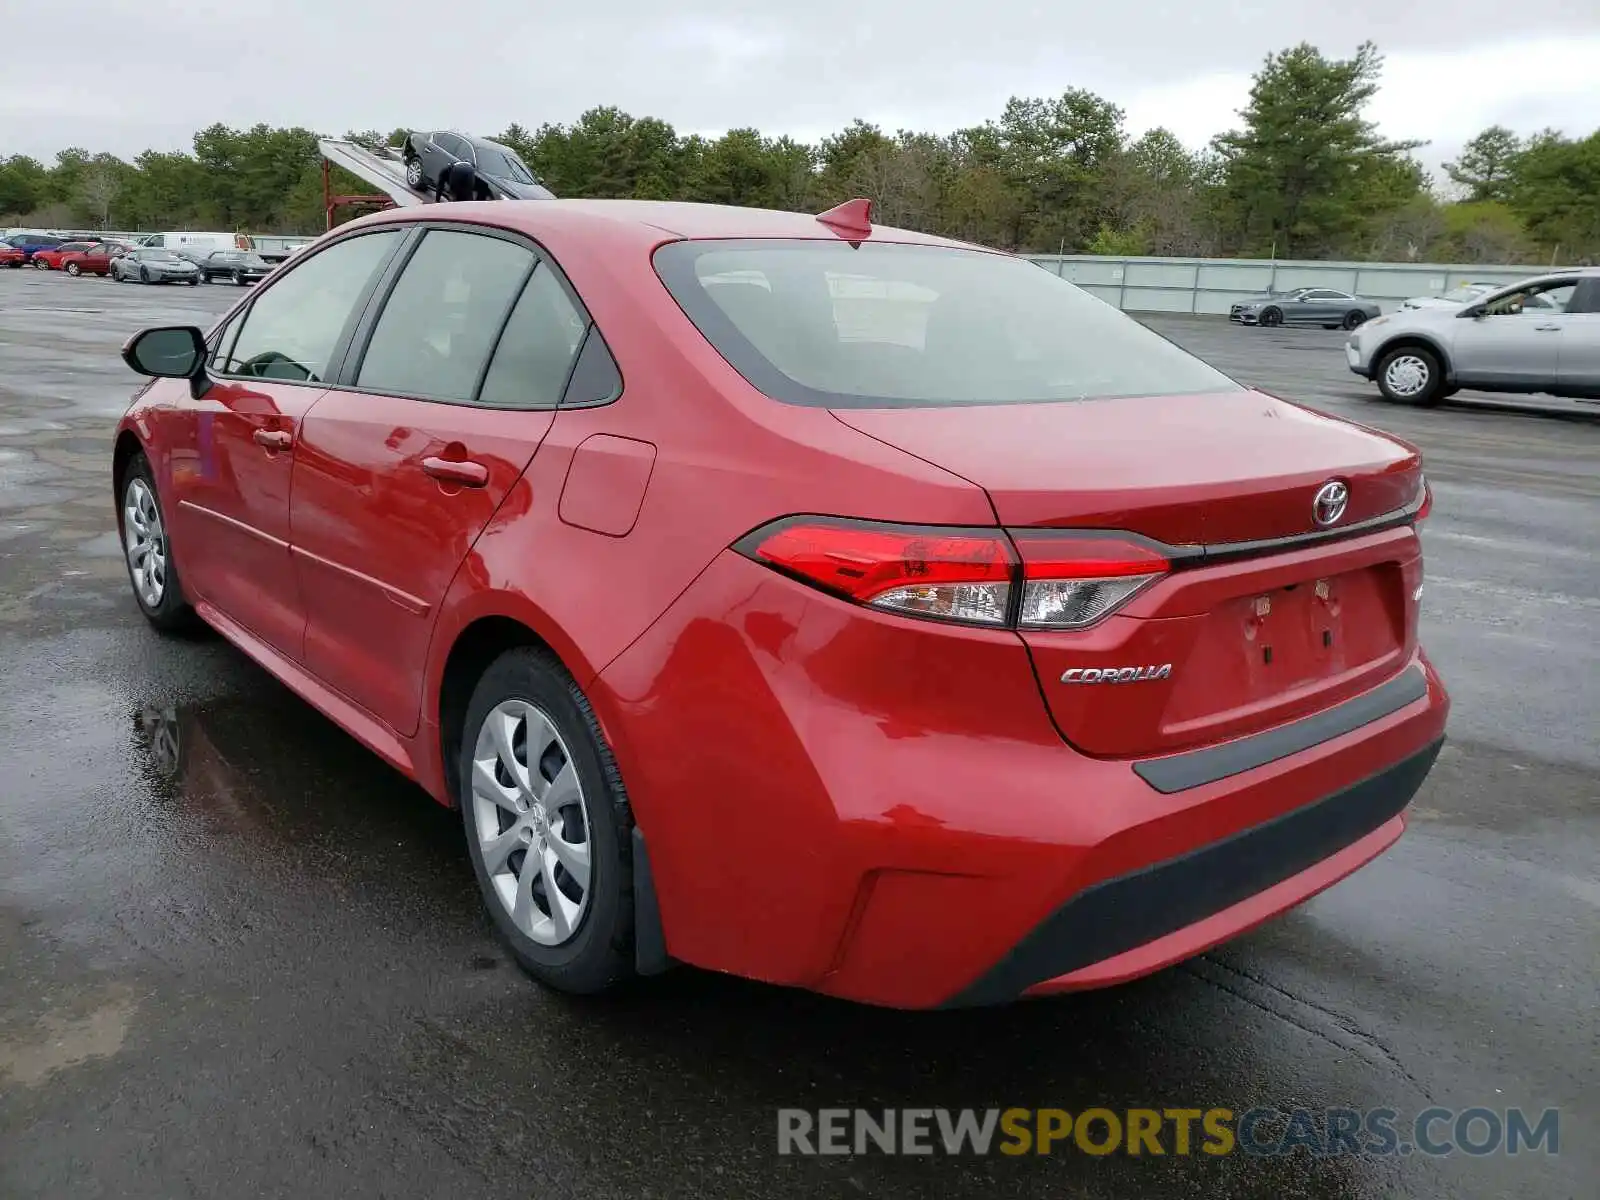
<point x="1182" y="772"/>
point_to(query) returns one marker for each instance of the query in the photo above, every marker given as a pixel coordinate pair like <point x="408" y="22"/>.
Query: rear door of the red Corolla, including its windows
<point x="402" y="468"/>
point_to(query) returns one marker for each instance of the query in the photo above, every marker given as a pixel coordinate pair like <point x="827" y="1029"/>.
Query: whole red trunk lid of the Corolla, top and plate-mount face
<point x="1260" y="631"/>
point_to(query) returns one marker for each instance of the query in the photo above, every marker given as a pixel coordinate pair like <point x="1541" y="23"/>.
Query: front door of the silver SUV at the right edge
<point x="1516" y="343"/>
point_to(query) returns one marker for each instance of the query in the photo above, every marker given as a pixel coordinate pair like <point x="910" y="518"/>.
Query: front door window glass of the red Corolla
<point x="295" y="326"/>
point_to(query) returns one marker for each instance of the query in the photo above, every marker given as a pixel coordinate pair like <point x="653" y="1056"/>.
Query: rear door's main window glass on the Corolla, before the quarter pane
<point x="444" y="314"/>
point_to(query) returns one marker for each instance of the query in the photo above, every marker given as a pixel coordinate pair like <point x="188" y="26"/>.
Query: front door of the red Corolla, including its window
<point x="233" y="497"/>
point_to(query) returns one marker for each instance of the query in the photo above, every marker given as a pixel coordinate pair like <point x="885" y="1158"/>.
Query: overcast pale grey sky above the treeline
<point x="151" y="73"/>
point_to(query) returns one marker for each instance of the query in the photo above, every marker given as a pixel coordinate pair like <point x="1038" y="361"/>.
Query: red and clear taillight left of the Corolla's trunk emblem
<point x="1018" y="578"/>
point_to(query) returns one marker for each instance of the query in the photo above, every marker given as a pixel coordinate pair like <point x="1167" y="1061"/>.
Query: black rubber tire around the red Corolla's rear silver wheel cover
<point x="601" y="951"/>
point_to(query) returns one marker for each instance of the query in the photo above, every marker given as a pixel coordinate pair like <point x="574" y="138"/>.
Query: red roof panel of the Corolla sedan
<point x="646" y="223"/>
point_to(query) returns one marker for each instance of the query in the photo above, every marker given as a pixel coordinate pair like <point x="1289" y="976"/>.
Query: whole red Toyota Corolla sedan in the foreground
<point x="793" y="598"/>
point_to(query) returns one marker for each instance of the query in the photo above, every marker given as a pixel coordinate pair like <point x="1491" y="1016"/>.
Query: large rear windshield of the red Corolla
<point x="887" y="326"/>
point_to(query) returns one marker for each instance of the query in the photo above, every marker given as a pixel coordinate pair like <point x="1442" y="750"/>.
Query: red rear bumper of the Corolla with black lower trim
<point x="838" y="801"/>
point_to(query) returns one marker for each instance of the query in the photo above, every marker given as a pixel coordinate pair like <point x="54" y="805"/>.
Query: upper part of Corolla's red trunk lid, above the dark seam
<point x="1191" y="470"/>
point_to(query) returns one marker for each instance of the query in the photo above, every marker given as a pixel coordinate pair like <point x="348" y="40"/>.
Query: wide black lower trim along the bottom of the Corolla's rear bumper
<point x="1121" y="914"/>
